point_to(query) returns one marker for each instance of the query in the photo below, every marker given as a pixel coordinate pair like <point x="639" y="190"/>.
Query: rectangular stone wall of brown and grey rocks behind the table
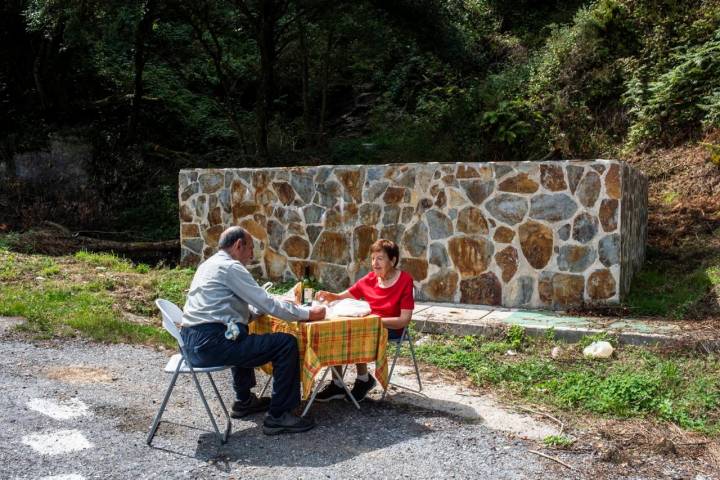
<point x="532" y="234"/>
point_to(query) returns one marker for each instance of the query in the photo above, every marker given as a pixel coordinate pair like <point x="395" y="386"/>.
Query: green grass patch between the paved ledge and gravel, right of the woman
<point x="637" y="382"/>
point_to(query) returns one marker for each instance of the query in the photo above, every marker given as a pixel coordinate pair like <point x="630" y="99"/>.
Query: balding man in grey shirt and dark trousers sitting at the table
<point x="223" y="298"/>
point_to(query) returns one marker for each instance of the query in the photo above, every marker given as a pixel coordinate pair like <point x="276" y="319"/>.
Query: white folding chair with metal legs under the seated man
<point x="178" y="363"/>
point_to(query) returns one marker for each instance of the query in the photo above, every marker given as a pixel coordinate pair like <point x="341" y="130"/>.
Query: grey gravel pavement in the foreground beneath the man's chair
<point x="122" y="387"/>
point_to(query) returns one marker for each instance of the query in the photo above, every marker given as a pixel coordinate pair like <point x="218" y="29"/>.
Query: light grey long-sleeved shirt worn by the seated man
<point x="223" y="291"/>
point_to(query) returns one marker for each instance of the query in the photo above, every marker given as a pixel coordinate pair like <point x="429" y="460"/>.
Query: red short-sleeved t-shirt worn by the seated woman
<point x="385" y="302"/>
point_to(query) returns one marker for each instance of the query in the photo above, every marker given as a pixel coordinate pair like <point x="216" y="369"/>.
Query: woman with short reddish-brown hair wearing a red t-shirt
<point x="389" y="292"/>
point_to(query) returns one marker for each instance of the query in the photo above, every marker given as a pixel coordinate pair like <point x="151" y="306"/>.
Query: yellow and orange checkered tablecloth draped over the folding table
<point x="336" y="341"/>
